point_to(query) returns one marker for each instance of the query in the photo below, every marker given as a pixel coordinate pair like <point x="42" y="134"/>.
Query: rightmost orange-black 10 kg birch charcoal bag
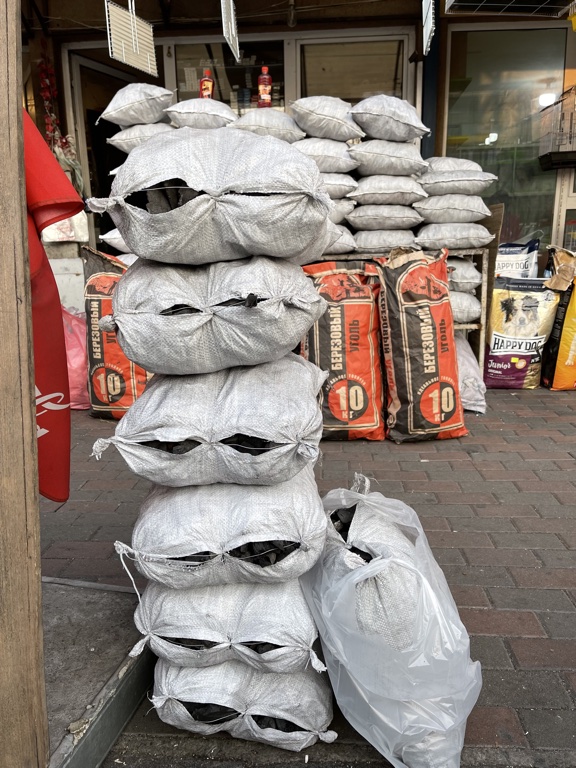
<point x="419" y="349"/>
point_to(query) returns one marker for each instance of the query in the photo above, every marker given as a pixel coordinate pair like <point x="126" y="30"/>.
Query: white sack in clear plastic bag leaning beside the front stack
<point x="396" y="651"/>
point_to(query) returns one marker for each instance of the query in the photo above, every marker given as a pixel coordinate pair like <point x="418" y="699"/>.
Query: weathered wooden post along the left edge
<point x="24" y="728"/>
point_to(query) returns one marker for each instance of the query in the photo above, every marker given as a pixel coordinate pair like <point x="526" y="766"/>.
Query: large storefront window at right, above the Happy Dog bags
<point x="499" y="82"/>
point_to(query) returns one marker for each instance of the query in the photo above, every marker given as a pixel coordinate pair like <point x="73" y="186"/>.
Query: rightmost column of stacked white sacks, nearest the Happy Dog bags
<point x="451" y="214"/>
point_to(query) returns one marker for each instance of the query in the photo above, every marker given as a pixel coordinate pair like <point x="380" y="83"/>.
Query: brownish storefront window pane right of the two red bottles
<point x="352" y="71"/>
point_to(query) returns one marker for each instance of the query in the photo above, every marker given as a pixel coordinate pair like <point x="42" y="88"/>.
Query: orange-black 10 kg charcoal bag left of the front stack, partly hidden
<point x="114" y="382"/>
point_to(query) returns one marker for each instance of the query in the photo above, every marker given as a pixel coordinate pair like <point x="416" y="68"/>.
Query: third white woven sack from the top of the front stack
<point x="275" y="403"/>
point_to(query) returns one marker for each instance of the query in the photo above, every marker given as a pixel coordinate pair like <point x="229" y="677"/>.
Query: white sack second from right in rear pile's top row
<point x="326" y="117"/>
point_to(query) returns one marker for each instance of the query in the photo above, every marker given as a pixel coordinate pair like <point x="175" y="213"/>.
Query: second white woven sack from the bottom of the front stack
<point x="210" y="625"/>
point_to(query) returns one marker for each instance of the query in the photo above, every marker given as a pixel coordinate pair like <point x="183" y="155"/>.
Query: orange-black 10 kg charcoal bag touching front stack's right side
<point x="345" y="342"/>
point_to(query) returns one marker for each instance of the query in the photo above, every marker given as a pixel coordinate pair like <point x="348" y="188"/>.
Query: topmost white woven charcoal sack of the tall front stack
<point x="218" y="195"/>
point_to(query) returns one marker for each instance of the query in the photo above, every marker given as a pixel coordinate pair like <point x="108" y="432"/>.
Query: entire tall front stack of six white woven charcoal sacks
<point x="227" y="429"/>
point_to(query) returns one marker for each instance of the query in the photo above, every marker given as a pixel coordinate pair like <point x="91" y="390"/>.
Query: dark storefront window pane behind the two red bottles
<point x="235" y="84"/>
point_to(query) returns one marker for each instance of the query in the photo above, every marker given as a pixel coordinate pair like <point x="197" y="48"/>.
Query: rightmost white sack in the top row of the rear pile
<point x="390" y="118"/>
